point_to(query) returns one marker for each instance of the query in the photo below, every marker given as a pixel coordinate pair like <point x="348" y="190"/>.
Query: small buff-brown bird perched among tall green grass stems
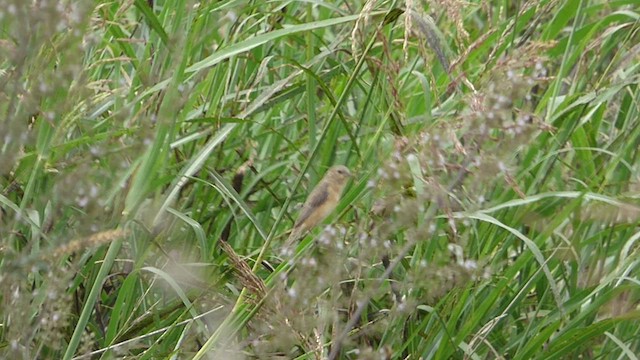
<point x="321" y="202"/>
